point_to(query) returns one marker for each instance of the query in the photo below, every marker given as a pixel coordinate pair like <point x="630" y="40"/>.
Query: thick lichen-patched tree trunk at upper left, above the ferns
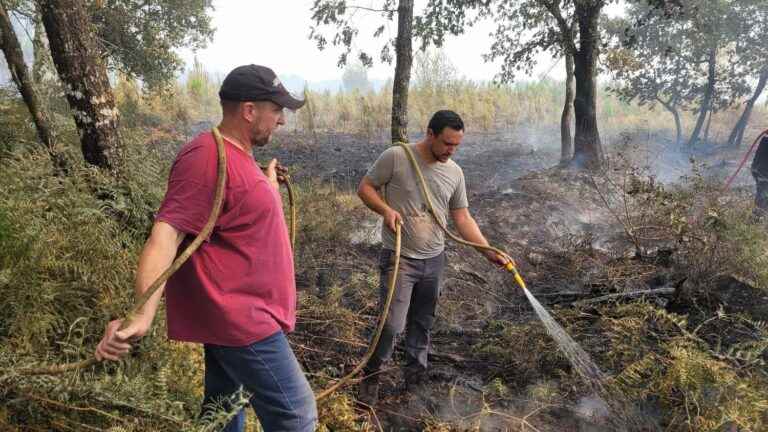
<point x="75" y="52"/>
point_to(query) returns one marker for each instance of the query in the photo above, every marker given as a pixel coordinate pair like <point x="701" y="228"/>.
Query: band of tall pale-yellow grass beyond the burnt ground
<point x="485" y="106"/>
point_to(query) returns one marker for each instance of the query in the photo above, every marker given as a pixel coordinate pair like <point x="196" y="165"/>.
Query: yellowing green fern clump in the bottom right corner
<point x="696" y="390"/>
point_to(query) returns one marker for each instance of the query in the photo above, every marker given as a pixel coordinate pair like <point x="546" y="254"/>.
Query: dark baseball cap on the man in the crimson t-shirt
<point x="257" y="83"/>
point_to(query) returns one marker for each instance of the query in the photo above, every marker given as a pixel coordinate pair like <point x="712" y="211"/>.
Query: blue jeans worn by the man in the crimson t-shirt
<point x="267" y="369"/>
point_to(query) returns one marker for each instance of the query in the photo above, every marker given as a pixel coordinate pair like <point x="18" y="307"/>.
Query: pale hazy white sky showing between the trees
<point x="275" y="33"/>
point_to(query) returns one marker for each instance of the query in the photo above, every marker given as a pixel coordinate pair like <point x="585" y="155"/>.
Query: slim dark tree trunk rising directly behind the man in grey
<point x="402" y="71"/>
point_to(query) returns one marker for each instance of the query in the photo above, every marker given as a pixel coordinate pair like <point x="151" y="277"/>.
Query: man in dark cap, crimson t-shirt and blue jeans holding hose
<point x="236" y="294"/>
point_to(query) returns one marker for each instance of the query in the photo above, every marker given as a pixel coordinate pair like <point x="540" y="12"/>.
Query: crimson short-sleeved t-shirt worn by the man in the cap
<point x="238" y="287"/>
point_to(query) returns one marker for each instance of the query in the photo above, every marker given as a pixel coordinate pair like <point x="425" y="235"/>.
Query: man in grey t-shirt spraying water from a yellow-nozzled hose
<point x="423" y="241"/>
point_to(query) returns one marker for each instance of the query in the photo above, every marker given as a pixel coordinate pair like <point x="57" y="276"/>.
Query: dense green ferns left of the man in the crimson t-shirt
<point x="68" y="259"/>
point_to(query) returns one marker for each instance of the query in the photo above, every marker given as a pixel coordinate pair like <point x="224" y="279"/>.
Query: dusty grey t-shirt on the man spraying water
<point x="422" y="237"/>
